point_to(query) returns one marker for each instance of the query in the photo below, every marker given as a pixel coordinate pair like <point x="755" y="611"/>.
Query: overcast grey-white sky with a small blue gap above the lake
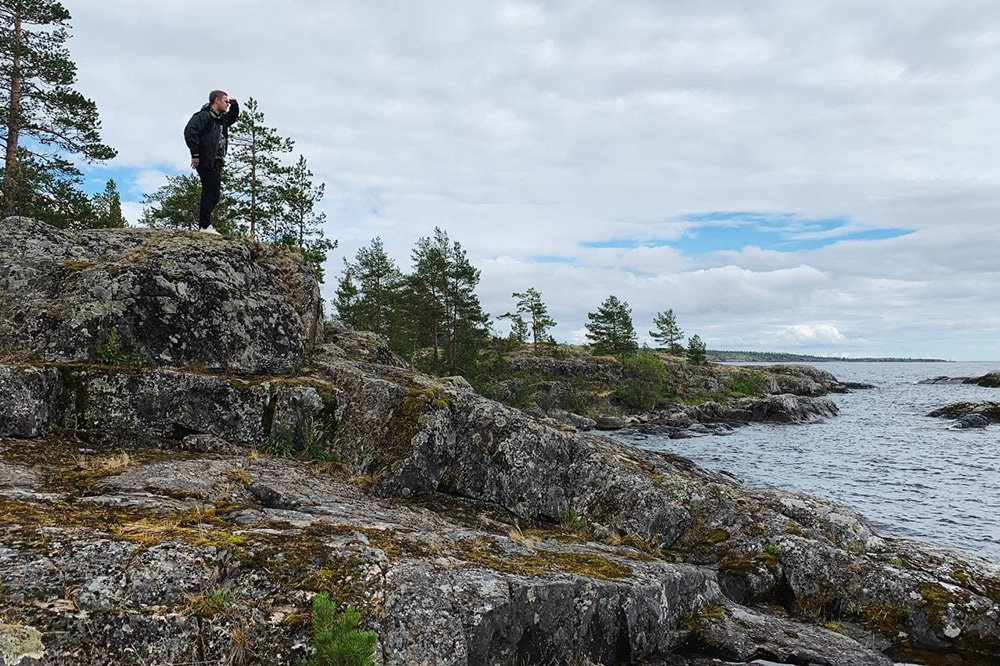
<point x="819" y="177"/>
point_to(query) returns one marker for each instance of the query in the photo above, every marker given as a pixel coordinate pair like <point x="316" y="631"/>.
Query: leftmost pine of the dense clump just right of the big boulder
<point x="369" y="291"/>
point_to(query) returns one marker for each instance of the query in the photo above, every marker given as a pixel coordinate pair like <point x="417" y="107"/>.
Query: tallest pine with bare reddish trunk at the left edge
<point x="44" y="118"/>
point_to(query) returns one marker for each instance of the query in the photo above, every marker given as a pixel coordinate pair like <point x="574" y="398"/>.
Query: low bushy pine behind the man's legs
<point x="176" y="206"/>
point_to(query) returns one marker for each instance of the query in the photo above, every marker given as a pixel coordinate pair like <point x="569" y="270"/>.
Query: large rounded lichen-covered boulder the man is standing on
<point x="172" y="298"/>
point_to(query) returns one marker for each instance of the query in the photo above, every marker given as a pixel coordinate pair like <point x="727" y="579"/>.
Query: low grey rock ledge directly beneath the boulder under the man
<point x="206" y="412"/>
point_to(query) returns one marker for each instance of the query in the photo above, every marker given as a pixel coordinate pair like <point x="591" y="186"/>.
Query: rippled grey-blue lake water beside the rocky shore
<point x="911" y="476"/>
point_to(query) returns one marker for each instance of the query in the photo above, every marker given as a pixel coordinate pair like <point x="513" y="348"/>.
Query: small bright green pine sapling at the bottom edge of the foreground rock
<point x="336" y="639"/>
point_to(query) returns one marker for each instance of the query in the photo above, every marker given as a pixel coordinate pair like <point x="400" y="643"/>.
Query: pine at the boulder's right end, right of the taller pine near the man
<point x="301" y="227"/>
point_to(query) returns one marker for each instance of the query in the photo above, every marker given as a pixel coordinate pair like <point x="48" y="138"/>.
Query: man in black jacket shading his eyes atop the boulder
<point x="207" y="137"/>
